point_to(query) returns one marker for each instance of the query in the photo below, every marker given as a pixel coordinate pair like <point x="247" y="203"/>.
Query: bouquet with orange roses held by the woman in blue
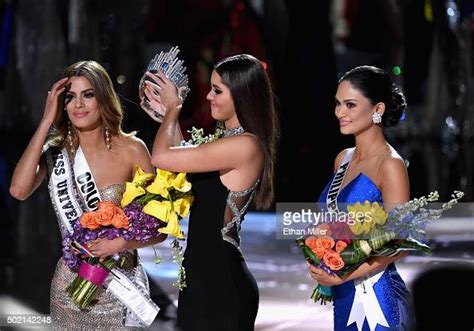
<point x="340" y="247"/>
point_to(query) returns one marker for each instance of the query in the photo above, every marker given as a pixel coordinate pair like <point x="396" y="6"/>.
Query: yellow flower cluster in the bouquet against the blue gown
<point x="366" y="217"/>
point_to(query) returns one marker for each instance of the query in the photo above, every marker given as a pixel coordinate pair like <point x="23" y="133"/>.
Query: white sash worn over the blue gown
<point x="365" y="303"/>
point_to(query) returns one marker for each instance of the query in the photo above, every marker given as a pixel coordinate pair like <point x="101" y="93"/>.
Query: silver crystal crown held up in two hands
<point x="173" y="68"/>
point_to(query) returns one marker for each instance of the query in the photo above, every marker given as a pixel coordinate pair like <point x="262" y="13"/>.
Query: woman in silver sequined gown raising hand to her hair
<point x="83" y="110"/>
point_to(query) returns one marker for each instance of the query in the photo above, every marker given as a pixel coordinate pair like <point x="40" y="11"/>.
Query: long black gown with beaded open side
<point x="221" y="293"/>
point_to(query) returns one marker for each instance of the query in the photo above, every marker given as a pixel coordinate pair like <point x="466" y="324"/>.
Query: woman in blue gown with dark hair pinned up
<point x="372" y="297"/>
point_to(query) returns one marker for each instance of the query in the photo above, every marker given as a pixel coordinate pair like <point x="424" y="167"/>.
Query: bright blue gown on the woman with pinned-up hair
<point x="390" y="290"/>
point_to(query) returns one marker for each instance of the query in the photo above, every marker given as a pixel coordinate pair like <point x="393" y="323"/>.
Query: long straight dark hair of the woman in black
<point x="251" y="91"/>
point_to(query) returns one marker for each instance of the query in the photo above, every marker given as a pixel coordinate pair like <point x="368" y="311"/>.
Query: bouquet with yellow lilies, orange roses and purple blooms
<point x="151" y="206"/>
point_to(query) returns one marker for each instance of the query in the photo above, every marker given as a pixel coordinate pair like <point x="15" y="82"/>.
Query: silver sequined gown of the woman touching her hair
<point x="107" y="314"/>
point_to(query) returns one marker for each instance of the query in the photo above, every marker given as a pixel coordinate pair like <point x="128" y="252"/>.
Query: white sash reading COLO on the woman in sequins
<point x="69" y="201"/>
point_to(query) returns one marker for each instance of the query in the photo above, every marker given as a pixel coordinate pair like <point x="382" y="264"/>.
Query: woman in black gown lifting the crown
<point x="226" y="174"/>
